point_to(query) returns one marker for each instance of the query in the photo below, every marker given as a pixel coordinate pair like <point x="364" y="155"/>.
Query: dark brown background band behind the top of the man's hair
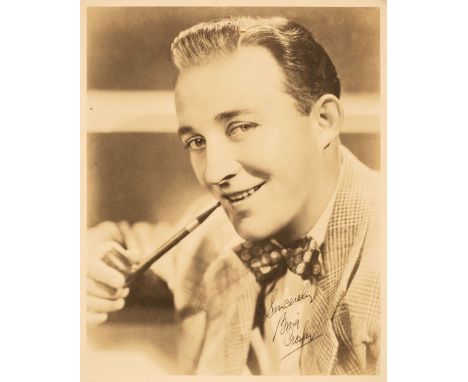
<point x="129" y="48"/>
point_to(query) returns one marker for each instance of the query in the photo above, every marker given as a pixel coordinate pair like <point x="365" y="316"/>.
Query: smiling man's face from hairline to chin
<point x="248" y="144"/>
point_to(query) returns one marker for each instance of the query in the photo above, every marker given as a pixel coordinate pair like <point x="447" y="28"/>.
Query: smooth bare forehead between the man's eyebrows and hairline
<point x="250" y="78"/>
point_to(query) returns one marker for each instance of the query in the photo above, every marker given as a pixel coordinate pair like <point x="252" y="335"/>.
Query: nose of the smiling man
<point x="221" y="165"/>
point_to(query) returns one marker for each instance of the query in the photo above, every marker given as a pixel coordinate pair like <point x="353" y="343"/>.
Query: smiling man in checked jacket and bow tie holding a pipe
<point x="294" y="287"/>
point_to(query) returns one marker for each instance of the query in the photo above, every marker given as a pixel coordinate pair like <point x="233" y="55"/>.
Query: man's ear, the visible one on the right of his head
<point x="328" y="112"/>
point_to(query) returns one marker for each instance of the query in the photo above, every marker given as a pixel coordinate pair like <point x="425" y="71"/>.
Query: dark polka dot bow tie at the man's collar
<point x="268" y="261"/>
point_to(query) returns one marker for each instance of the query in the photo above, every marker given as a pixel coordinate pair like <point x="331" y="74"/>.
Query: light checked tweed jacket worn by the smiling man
<point x="215" y="294"/>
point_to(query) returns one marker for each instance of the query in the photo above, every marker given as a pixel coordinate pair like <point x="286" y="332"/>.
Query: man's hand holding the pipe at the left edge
<point x="105" y="291"/>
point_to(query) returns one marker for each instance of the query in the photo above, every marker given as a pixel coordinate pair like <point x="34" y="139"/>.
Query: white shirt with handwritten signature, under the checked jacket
<point x="277" y="352"/>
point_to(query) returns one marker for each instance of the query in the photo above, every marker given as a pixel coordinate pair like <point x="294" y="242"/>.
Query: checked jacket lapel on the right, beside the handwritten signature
<point x="345" y="235"/>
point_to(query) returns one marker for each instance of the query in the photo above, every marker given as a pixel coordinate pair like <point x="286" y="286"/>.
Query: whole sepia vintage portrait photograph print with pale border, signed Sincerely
<point x="234" y="190"/>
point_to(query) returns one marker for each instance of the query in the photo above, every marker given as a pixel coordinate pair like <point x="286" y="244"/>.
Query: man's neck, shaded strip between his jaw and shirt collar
<point x="316" y="204"/>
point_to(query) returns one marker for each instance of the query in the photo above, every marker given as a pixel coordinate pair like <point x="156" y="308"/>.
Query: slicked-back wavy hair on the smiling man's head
<point x="308" y="70"/>
